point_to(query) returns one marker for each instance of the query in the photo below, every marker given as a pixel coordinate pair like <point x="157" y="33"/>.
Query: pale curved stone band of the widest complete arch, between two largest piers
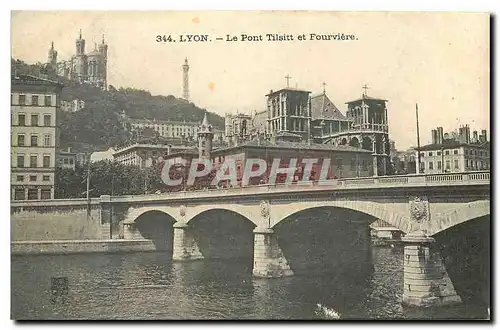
<point x="390" y="215"/>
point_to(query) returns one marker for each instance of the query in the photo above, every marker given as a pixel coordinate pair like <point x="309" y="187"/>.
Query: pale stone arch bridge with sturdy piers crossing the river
<point x="421" y="206"/>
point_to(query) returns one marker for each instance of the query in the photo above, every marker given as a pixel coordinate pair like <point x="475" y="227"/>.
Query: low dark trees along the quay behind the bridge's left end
<point x="107" y="178"/>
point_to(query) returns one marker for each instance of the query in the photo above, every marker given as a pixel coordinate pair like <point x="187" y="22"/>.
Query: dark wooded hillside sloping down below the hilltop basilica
<point x="98" y="126"/>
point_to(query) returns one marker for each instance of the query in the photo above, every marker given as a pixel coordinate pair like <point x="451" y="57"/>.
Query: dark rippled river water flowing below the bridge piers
<point x="142" y="286"/>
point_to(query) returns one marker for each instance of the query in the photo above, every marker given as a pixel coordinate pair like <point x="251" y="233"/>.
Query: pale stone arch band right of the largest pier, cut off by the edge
<point x="461" y="214"/>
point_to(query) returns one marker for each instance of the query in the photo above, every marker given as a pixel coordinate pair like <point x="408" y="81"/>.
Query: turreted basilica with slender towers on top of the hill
<point x="89" y="68"/>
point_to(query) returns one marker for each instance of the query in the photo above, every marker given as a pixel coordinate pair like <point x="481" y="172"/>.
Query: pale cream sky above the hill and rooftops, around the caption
<point x="440" y="60"/>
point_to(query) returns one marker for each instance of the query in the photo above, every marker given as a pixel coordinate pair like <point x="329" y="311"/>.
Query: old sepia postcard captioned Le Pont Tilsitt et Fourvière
<point x="250" y="165"/>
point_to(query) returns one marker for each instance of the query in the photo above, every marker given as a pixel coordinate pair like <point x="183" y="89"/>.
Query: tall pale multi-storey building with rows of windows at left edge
<point x="34" y="136"/>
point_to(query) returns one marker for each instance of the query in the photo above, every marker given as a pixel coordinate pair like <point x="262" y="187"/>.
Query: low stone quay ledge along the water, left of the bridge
<point x="80" y="246"/>
